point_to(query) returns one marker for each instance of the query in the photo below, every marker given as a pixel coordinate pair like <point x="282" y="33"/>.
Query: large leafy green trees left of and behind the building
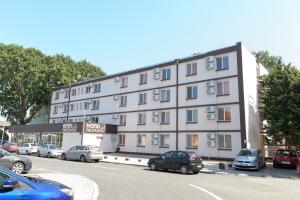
<point x="27" y="77"/>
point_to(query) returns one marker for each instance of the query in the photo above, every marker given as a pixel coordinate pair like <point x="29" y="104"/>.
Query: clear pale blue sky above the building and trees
<point x="121" y="35"/>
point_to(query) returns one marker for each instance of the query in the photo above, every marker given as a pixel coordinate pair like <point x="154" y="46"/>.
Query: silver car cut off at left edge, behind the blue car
<point x="15" y="163"/>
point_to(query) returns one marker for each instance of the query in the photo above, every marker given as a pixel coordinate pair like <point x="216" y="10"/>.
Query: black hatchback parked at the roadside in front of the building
<point x="177" y="160"/>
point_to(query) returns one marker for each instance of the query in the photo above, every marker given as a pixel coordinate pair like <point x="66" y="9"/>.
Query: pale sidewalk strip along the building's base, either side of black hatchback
<point x="210" y="166"/>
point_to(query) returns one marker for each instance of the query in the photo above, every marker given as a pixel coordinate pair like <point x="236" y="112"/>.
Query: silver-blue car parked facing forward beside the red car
<point x="249" y="159"/>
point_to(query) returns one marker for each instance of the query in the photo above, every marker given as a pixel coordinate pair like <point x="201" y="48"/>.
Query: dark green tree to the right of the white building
<point x="280" y="99"/>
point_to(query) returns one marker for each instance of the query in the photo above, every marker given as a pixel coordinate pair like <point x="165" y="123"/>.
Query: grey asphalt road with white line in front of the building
<point x="124" y="182"/>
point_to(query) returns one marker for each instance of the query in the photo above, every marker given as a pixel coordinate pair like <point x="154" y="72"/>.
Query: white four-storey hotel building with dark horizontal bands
<point x="206" y="103"/>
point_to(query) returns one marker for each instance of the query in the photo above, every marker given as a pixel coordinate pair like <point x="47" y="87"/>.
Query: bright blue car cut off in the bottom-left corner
<point x="16" y="187"/>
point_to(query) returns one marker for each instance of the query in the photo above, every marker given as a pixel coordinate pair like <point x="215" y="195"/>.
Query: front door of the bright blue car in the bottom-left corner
<point x="15" y="194"/>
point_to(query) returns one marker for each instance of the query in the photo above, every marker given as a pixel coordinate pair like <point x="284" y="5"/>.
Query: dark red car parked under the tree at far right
<point x="285" y="158"/>
